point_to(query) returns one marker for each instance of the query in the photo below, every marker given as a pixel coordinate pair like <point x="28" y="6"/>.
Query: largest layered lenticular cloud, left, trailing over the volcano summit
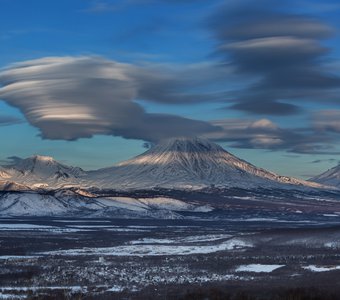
<point x="74" y="97"/>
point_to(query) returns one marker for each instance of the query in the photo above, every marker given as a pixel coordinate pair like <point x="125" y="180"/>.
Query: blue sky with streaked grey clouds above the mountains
<point x="89" y="82"/>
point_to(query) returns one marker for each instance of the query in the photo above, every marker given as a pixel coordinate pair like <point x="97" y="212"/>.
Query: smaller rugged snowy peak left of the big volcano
<point x="41" y="171"/>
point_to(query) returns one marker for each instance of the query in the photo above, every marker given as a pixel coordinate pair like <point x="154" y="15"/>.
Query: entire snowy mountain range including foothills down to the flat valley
<point x="177" y="178"/>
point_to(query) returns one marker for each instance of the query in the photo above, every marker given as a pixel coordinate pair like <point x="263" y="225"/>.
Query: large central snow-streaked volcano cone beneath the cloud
<point x="183" y="162"/>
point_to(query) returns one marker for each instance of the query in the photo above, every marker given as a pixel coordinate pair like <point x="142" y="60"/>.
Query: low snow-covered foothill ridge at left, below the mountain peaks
<point x="69" y="203"/>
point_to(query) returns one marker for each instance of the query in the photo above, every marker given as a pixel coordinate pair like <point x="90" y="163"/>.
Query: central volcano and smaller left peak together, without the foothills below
<point x="179" y="163"/>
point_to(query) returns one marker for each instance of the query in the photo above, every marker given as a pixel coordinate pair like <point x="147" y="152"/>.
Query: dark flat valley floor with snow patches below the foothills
<point x="167" y="259"/>
